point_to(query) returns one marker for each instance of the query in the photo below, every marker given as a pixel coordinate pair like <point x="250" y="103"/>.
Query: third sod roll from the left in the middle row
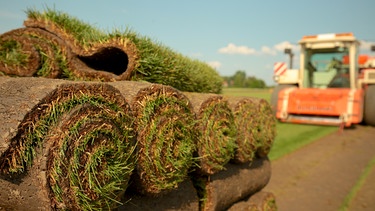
<point x="217" y="132"/>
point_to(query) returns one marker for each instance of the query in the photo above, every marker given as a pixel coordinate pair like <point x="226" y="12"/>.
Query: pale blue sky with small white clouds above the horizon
<point x="229" y="35"/>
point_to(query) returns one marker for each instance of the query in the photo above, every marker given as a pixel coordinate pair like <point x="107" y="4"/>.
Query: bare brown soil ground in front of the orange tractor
<point x="321" y="175"/>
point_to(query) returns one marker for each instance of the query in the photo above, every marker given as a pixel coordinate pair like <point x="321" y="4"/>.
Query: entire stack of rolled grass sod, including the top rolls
<point x="103" y="139"/>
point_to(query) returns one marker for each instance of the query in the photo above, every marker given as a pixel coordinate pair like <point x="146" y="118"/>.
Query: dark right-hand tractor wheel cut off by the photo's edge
<point x="369" y="108"/>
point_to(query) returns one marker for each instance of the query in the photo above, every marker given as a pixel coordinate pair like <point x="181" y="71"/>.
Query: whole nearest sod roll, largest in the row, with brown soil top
<point x="70" y="144"/>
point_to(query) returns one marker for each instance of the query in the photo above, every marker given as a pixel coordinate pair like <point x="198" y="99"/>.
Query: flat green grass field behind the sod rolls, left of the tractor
<point x="289" y="136"/>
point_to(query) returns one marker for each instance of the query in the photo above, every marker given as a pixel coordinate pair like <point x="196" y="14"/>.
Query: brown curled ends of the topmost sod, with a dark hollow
<point x="44" y="49"/>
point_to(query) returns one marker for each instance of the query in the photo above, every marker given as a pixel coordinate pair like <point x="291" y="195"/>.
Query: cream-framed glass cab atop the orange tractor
<point x="322" y="62"/>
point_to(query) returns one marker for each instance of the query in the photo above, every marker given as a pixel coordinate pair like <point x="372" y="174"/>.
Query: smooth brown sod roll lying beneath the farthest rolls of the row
<point x="238" y="182"/>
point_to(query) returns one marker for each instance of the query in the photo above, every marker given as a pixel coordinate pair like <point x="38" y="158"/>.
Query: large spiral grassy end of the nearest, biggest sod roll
<point x="86" y="132"/>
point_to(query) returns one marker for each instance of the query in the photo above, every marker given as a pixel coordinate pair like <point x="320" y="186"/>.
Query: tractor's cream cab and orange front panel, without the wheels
<point x="325" y="91"/>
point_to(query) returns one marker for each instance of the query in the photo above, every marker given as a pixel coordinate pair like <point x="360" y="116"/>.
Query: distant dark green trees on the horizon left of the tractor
<point x="240" y="80"/>
